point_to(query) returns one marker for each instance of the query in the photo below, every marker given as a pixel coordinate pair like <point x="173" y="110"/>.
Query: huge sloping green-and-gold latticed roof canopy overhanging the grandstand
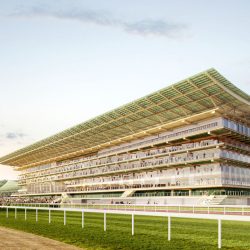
<point x="193" y="96"/>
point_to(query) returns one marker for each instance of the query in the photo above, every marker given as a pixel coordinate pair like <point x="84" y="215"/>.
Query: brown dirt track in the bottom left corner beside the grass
<point x="11" y="239"/>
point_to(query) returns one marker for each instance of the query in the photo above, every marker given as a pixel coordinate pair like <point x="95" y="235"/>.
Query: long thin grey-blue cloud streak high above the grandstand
<point x="155" y="27"/>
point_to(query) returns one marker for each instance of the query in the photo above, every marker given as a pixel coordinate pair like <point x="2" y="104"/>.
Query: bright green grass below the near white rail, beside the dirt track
<point x="150" y="232"/>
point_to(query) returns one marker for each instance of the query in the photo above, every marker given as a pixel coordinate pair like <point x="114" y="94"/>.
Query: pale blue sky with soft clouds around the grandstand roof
<point x="63" y="62"/>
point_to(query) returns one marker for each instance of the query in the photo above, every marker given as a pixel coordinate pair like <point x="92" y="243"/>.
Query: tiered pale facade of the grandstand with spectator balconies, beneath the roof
<point x="173" y="161"/>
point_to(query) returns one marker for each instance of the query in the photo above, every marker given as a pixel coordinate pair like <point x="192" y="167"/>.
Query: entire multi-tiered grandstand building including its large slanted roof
<point x="180" y="144"/>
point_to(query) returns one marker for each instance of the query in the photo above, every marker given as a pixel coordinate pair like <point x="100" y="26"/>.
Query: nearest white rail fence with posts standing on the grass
<point x="169" y="215"/>
